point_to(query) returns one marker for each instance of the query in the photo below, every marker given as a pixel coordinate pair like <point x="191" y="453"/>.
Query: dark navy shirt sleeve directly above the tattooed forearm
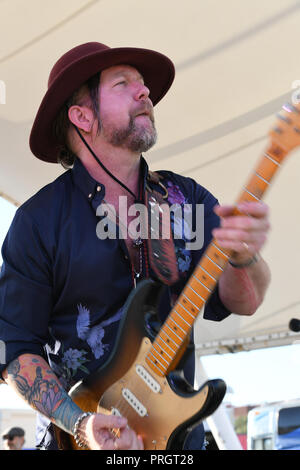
<point x="25" y="290"/>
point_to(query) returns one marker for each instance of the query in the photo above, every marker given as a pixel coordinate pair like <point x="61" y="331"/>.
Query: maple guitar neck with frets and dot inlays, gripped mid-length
<point x="178" y="325"/>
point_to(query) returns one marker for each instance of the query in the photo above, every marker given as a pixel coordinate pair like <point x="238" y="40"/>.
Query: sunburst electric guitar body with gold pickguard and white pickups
<point x="162" y="410"/>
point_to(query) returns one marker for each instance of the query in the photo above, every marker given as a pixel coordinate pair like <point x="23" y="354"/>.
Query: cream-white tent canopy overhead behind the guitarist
<point x="236" y="65"/>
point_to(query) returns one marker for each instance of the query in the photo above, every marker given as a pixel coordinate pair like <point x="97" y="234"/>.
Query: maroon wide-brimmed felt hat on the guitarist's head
<point x="75" y="67"/>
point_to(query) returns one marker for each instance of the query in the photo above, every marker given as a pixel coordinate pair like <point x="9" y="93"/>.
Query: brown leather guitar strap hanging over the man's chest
<point x="161" y="249"/>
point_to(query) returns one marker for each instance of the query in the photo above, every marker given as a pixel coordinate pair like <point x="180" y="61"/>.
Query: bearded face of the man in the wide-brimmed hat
<point x="126" y="112"/>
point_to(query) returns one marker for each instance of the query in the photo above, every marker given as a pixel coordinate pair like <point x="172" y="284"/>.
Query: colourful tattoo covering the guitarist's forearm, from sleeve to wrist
<point x="37" y="384"/>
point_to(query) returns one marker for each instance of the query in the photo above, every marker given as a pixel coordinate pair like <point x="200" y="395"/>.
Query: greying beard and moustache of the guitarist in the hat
<point x="135" y="137"/>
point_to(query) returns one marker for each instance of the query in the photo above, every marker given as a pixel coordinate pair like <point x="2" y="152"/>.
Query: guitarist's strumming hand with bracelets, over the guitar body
<point x="97" y="431"/>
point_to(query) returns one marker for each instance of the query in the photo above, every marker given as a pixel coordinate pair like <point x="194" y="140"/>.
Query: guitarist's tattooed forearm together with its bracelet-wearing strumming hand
<point x="31" y="377"/>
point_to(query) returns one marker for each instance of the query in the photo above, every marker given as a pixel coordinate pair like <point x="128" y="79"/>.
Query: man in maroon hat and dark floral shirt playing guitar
<point x="64" y="284"/>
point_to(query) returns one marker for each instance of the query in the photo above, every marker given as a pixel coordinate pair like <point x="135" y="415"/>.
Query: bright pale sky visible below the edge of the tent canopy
<point x="253" y="377"/>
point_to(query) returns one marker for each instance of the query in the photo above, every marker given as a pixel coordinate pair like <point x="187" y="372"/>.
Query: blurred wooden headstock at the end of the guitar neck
<point x="286" y="132"/>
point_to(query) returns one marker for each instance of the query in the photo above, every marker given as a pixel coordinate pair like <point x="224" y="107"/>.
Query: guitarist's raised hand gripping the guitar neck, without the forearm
<point x="245" y="234"/>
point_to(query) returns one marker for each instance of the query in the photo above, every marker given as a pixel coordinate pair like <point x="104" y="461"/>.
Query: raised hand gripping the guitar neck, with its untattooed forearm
<point x="242" y="290"/>
